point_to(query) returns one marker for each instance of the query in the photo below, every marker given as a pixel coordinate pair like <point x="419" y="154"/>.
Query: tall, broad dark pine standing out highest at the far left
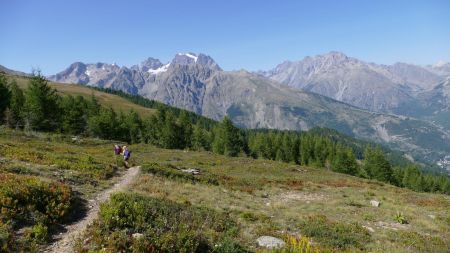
<point x="41" y="108"/>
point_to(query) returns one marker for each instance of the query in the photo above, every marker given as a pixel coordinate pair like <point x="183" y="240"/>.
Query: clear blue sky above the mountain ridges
<point x="246" y="34"/>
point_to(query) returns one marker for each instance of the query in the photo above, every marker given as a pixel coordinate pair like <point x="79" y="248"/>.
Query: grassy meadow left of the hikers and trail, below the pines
<point x="87" y="165"/>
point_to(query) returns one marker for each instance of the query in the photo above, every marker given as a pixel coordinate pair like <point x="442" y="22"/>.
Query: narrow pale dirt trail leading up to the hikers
<point x="66" y="240"/>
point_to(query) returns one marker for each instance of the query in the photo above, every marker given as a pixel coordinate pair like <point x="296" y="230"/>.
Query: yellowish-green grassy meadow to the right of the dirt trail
<point x="273" y="198"/>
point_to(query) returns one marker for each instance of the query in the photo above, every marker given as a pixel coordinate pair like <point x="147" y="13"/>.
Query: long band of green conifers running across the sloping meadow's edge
<point x="40" y="108"/>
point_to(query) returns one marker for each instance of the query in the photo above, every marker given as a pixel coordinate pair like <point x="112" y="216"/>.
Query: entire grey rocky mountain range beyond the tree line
<point x="330" y="90"/>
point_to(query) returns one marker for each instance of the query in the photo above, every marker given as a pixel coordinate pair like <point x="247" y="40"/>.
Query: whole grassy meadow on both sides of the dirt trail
<point x="260" y="197"/>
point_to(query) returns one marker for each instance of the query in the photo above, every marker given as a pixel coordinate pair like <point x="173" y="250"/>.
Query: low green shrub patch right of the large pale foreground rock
<point x="335" y="234"/>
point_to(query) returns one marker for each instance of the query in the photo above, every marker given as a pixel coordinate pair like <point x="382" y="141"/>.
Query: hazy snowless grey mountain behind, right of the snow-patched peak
<point x="366" y="85"/>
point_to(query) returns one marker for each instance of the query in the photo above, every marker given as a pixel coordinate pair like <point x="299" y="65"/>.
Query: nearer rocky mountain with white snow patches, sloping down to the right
<point x="197" y="83"/>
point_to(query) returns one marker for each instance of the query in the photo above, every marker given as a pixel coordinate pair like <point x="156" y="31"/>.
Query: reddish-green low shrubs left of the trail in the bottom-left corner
<point x="30" y="201"/>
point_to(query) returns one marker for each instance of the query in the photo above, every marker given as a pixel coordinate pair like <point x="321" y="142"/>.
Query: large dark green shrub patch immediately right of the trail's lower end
<point x="162" y="226"/>
